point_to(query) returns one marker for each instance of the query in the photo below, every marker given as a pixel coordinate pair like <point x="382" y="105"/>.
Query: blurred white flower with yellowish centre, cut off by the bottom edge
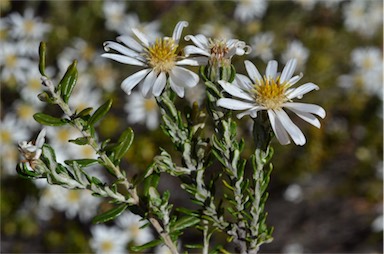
<point x="108" y="240"/>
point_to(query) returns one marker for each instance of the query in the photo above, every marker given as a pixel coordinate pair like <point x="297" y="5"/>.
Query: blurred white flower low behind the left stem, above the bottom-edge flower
<point x="133" y="229"/>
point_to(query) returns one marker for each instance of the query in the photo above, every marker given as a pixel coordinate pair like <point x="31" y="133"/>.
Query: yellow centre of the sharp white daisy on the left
<point x="162" y="55"/>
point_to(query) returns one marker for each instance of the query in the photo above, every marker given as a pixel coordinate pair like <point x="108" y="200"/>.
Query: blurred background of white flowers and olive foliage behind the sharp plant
<point x="325" y="197"/>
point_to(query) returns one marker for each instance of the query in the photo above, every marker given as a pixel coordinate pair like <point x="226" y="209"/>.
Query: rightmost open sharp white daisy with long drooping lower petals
<point x="272" y="93"/>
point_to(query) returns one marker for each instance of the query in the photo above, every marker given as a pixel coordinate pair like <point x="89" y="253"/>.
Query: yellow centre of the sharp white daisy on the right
<point x="270" y="93"/>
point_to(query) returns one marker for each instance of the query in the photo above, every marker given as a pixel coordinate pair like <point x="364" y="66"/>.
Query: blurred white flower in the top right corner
<point x="363" y="17"/>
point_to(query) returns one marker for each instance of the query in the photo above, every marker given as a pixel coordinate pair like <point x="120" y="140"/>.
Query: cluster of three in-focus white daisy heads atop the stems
<point x="271" y="92"/>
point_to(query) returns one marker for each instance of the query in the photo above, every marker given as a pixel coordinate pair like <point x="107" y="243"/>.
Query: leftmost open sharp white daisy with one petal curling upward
<point x="158" y="58"/>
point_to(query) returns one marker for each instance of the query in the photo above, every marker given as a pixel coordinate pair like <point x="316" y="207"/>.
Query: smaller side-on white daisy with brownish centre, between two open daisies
<point x="216" y="52"/>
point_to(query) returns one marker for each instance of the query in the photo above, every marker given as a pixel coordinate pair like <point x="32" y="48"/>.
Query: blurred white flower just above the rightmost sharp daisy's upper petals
<point x="296" y="50"/>
